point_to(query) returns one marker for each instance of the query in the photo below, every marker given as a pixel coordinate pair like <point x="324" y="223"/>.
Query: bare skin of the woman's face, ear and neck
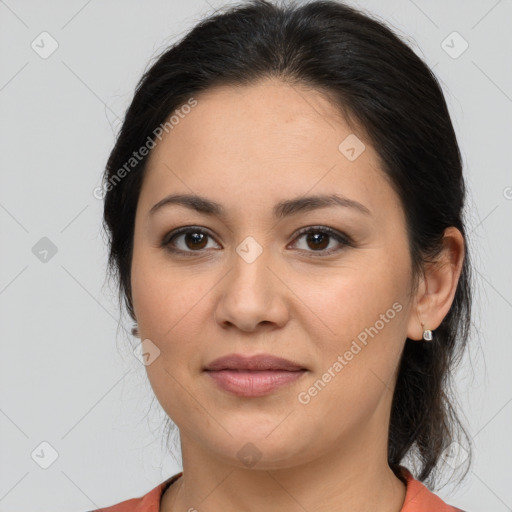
<point x="248" y="148"/>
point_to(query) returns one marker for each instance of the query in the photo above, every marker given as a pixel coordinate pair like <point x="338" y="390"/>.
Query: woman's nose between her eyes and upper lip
<point x="252" y="294"/>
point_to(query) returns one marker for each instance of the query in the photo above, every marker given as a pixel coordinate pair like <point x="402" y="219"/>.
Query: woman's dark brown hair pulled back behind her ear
<point x="376" y="81"/>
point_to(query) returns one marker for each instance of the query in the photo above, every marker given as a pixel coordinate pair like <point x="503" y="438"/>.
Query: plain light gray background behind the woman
<point x="68" y="374"/>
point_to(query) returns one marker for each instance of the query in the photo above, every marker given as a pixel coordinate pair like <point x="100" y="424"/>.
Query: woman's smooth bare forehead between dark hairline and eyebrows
<point x="267" y="140"/>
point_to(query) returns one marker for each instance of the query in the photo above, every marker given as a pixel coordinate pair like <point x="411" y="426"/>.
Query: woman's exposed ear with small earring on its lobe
<point x="437" y="286"/>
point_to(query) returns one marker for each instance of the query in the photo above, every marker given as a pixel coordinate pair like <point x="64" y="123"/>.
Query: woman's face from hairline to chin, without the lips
<point x="246" y="279"/>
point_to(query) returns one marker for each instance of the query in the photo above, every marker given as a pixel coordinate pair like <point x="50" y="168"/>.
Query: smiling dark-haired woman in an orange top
<point x="284" y="206"/>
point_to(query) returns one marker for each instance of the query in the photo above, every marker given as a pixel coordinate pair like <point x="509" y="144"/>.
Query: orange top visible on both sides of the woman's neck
<point x="418" y="498"/>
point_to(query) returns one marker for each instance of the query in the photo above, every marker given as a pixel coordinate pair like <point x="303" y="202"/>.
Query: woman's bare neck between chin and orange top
<point x="316" y="486"/>
